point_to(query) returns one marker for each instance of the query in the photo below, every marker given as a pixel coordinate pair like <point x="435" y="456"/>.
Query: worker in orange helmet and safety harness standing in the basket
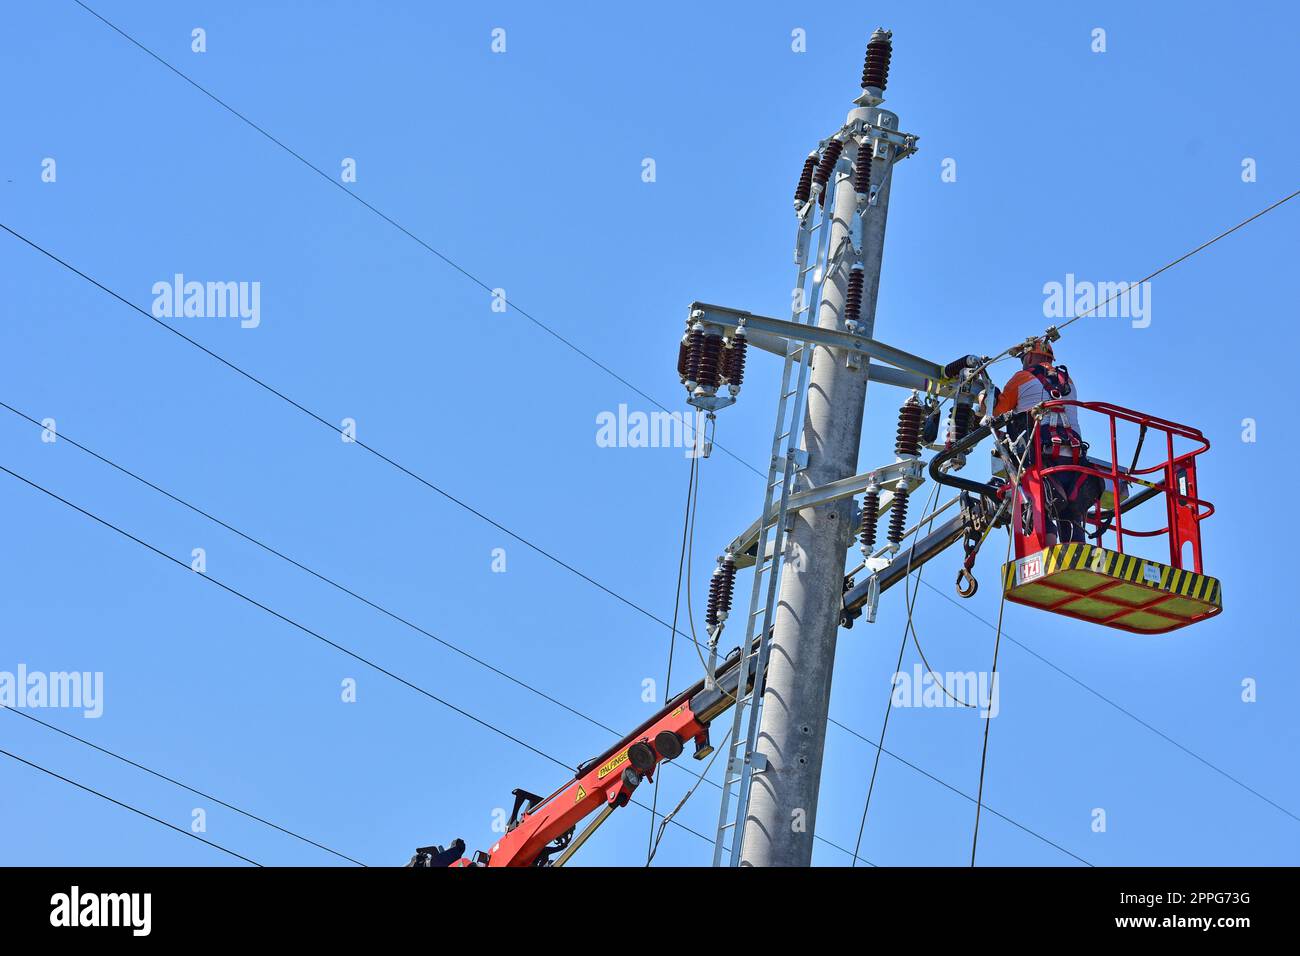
<point x="1069" y="494"/>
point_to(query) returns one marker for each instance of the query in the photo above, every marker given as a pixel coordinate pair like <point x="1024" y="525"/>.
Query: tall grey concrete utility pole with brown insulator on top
<point x="782" y="814"/>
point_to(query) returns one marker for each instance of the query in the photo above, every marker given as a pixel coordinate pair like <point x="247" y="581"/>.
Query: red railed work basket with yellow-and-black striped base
<point x="1110" y="586"/>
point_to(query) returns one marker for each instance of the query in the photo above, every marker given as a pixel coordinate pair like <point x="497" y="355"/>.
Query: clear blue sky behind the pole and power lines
<point x="526" y="170"/>
